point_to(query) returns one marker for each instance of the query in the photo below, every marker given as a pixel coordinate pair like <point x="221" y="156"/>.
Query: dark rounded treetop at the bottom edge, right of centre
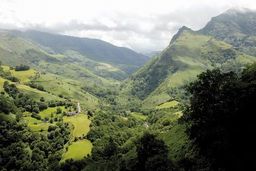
<point x="152" y="154"/>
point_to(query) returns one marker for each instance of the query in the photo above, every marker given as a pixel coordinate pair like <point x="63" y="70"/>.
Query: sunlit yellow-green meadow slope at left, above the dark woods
<point x="54" y="87"/>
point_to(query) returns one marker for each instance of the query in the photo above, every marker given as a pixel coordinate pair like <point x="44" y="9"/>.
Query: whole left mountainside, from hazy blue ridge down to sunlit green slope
<point x="88" y="68"/>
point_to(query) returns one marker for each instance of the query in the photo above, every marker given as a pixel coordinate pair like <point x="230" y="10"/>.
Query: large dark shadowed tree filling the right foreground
<point x="221" y="118"/>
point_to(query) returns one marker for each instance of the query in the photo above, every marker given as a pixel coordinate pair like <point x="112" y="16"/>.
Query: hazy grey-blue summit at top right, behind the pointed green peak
<point x="235" y="26"/>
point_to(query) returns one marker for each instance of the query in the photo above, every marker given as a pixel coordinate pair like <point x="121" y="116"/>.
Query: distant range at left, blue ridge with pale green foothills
<point x="101" y="58"/>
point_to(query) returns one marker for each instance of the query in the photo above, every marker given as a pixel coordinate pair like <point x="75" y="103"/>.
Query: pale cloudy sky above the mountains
<point x="143" y="25"/>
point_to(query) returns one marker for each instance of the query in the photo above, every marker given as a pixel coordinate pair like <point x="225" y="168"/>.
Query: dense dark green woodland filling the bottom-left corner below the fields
<point x="22" y="150"/>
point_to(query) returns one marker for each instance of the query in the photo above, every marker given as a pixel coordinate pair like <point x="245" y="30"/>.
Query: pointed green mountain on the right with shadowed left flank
<point x="188" y="54"/>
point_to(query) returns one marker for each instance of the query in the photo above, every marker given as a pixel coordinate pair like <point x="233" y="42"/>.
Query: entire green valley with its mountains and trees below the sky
<point x="70" y="103"/>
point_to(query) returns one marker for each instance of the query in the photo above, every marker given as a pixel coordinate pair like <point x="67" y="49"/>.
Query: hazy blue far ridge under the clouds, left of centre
<point x="97" y="50"/>
